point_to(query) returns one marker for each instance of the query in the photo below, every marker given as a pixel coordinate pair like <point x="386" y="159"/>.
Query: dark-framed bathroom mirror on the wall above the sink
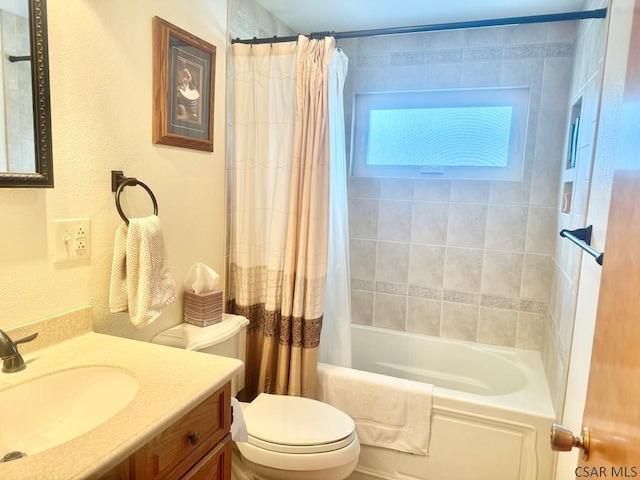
<point x="25" y="113"/>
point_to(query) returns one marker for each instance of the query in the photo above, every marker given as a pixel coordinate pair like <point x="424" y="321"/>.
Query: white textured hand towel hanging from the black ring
<point x="141" y="281"/>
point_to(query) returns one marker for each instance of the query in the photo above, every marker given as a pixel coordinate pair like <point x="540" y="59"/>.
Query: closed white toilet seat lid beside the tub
<point x="296" y="424"/>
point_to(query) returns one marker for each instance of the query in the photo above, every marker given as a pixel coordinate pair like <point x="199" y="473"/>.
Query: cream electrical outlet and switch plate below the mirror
<point x="71" y="240"/>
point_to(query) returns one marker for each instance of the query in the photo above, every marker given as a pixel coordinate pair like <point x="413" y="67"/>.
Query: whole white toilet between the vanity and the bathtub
<point x="289" y="438"/>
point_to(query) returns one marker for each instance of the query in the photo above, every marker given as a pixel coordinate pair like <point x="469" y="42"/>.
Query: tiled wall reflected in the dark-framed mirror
<point x="18" y="132"/>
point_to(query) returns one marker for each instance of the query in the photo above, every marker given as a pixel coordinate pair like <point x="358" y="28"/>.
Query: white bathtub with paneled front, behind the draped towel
<point x="491" y="408"/>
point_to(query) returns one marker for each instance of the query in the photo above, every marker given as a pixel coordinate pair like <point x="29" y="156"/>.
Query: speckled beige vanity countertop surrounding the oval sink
<point x="171" y="382"/>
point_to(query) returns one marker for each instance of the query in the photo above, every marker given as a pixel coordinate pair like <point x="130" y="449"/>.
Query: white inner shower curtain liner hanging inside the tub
<point x="335" y="340"/>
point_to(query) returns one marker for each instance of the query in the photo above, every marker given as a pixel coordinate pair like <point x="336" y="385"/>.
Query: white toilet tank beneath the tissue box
<point x="227" y="338"/>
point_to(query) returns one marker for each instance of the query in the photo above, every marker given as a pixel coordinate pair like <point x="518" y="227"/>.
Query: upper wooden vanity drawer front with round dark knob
<point x="172" y="453"/>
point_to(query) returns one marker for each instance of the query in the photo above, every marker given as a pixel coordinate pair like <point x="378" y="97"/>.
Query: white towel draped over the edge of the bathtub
<point x="388" y="412"/>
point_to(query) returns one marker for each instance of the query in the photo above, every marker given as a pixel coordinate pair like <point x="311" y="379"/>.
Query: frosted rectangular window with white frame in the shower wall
<point x="464" y="133"/>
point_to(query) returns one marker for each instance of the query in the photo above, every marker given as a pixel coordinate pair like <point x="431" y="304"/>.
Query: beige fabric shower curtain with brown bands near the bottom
<point x="279" y="209"/>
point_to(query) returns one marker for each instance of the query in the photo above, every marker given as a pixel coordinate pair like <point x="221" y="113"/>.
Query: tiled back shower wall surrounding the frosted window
<point x="464" y="259"/>
